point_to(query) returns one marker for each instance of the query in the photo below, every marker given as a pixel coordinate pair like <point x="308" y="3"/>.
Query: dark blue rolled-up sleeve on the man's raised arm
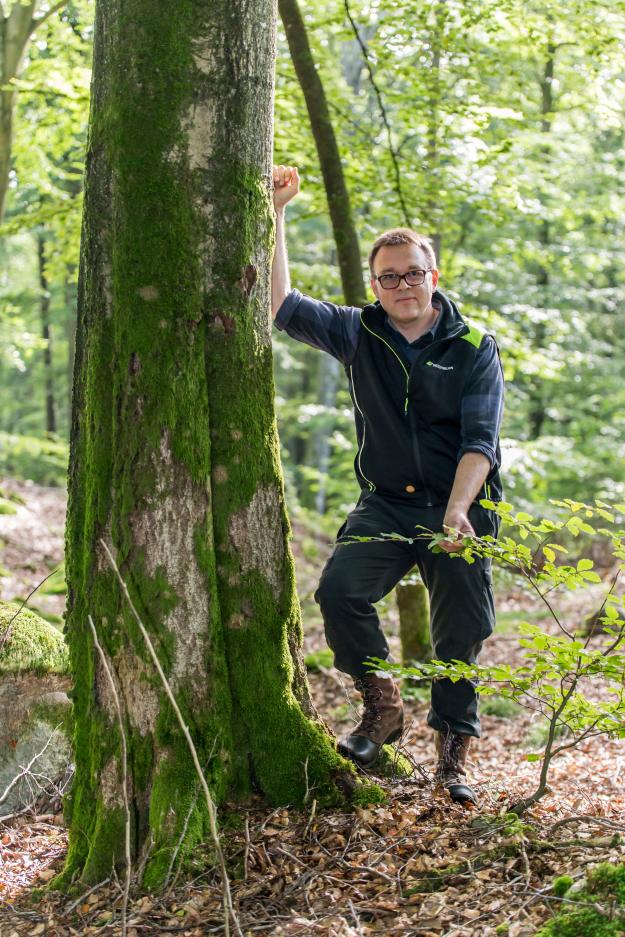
<point x="322" y="325"/>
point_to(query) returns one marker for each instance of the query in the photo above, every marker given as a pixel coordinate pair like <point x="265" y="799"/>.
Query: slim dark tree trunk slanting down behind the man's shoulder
<point x="337" y="195"/>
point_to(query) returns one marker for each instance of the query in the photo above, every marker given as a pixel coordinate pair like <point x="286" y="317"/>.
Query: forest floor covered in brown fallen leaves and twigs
<point x="418" y="866"/>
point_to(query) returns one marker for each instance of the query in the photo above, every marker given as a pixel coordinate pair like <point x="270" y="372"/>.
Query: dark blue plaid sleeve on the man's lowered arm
<point x="481" y="408"/>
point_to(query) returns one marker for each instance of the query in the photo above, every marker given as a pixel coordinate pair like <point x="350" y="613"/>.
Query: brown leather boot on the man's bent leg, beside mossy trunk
<point x="382" y="720"/>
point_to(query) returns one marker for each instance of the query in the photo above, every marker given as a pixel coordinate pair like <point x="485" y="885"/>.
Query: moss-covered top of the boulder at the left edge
<point x="33" y="646"/>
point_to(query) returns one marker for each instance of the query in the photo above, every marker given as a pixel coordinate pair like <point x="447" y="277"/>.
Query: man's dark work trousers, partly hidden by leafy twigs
<point x="462" y="612"/>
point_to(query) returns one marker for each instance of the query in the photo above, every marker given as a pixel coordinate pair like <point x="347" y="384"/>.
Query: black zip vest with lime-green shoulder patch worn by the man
<point x="408" y="418"/>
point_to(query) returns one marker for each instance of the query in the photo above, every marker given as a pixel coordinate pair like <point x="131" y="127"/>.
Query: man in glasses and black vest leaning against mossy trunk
<point x="428" y="398"/>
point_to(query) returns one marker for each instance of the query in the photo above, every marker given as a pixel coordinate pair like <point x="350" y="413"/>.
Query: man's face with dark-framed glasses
<point x="405" y="304"/>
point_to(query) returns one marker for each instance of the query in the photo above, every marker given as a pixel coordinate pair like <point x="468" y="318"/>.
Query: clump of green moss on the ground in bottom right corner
<point x="595" y="909"/>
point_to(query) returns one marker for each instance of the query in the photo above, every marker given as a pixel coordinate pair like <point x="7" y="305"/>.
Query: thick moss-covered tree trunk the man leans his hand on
<point x="174" y="454"/>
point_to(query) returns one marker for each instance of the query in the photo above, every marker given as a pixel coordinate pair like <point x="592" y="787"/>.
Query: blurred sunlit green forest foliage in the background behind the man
<point x="506" y="146"/>
